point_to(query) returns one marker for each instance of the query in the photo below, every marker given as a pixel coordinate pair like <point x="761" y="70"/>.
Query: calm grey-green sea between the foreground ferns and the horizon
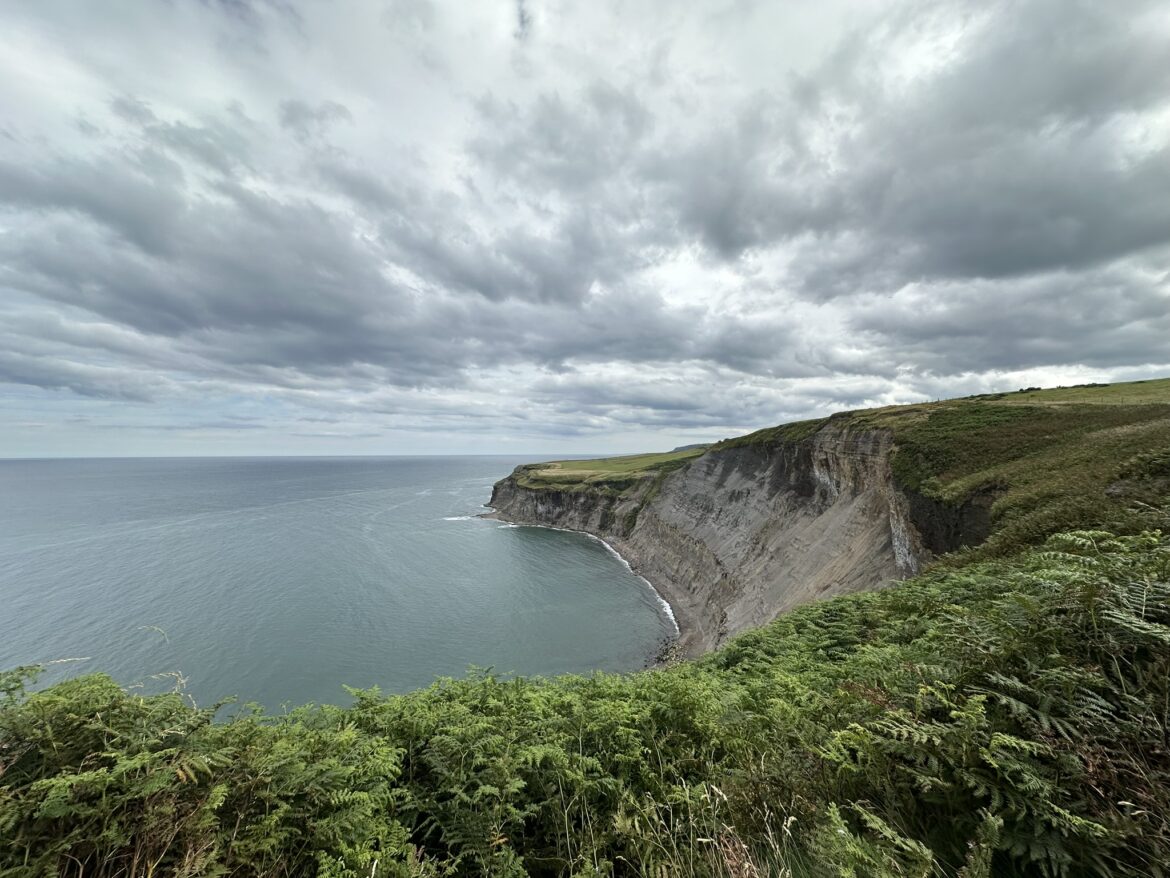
<point x="280" y="580"/>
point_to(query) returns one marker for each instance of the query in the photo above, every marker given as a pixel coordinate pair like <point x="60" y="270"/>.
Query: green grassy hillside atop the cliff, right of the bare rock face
<point x="1051" y="459"/>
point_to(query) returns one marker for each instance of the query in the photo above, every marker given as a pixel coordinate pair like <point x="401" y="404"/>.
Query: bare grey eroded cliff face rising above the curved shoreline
<point x="742" y="534"/>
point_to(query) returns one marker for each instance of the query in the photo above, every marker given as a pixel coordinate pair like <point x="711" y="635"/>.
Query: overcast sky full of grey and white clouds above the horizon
<point x="539" y="227"/>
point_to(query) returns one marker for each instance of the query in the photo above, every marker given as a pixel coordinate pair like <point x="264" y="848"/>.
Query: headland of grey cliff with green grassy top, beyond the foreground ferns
<point x="738" y="533"/>
